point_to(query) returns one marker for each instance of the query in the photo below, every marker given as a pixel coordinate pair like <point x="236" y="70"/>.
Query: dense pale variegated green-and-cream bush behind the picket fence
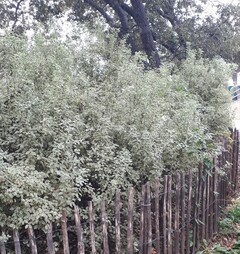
<point x="87" y="119"/>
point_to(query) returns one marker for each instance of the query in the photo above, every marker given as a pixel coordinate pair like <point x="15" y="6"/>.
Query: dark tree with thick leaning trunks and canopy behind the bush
<point x="162" y="29"/>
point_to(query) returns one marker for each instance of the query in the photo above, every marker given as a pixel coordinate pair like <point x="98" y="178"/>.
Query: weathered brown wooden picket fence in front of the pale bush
<point x="172" y="217"/>
